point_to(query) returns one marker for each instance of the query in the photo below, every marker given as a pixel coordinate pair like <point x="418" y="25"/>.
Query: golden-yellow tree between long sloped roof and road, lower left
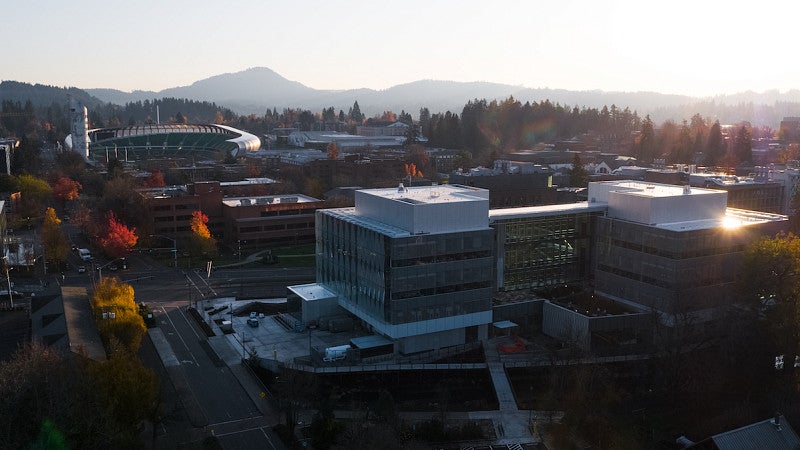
<point x="117" y="314"/>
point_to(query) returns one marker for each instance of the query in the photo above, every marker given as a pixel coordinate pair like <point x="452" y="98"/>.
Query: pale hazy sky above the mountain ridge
<point x="683" y="47"/>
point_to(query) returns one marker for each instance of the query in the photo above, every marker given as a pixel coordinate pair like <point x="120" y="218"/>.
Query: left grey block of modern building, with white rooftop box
<point x="416" y="264"/>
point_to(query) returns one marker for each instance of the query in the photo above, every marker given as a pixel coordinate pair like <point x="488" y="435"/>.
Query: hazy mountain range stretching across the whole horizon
<point x="254" y="90"/>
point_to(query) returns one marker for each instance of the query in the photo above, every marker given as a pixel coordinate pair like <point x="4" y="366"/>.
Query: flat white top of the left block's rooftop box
<point x="417" y="195"/>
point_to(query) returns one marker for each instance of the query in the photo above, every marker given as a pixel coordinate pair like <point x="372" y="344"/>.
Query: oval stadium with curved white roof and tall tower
<point x="162" y="140"/>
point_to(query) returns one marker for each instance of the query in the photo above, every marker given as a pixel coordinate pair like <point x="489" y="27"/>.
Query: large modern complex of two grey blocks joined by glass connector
<point x="420" y="266"/>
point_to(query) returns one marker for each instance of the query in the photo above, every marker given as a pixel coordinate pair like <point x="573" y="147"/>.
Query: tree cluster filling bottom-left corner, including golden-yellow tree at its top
<point x="52" y="400"/>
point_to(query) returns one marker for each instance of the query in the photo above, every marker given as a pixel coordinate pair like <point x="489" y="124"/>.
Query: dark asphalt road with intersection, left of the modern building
<point x="206" y="397"/>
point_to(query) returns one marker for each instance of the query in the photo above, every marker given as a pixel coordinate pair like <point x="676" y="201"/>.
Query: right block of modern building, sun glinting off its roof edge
<point x="671" y="249"/>
